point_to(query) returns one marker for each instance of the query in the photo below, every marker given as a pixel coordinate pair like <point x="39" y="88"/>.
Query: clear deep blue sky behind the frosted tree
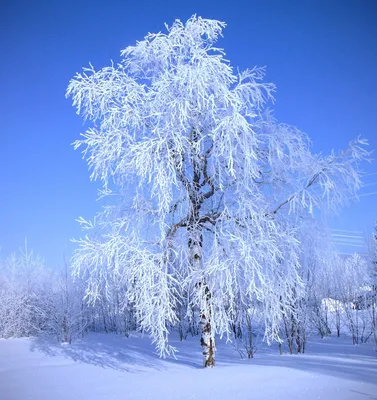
<point x="322" y="55"/>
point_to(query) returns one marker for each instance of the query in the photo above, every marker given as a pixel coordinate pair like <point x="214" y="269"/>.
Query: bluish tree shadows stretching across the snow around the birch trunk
<point x="333" y="357"/>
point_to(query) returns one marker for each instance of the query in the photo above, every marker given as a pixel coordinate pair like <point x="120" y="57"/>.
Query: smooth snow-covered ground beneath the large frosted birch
<point x="108" y="367"/>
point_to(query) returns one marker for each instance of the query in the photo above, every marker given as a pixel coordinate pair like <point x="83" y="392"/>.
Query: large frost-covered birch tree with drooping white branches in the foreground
<point x="208" y="188"/>
